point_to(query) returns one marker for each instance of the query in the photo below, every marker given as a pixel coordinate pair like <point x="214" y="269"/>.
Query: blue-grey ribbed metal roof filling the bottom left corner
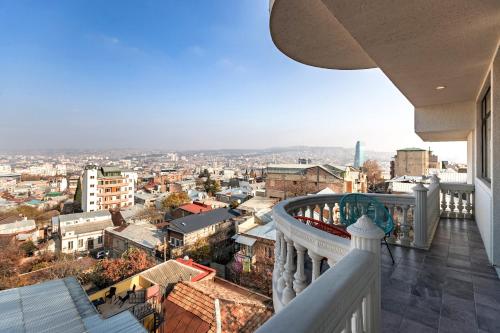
<point x="57" y="306"/>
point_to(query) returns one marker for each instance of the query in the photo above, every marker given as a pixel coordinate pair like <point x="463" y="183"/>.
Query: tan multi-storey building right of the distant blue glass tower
<point x="414" y="162"/>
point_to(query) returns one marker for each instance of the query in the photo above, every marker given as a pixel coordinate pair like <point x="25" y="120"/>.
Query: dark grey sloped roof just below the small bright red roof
<point x="195" y="222"/>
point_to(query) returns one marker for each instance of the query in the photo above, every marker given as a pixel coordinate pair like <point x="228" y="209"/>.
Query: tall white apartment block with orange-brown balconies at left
<point x="107" y="188"/>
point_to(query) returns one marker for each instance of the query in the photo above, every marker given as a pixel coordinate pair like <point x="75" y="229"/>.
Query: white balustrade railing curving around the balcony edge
<point x="346" y="296"/>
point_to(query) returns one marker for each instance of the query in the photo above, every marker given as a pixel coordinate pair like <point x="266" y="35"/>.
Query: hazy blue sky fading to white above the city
<point x="183" y="74"/>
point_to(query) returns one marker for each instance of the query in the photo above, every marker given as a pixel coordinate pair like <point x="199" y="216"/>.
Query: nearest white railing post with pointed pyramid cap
<point x="365" y="235"/>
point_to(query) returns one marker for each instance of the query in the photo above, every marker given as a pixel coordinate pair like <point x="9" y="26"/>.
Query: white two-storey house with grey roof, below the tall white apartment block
<point x="80" y="232"/>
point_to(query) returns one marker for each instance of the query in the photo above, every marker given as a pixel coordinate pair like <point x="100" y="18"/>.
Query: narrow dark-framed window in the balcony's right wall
<point x="486" y="136"/>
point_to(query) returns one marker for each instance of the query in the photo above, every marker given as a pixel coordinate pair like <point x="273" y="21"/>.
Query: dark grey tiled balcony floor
<point x="450" y="288"/>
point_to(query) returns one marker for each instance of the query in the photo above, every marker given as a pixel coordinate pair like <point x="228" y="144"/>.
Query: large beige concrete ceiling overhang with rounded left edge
<point x="419" y="45"/>
